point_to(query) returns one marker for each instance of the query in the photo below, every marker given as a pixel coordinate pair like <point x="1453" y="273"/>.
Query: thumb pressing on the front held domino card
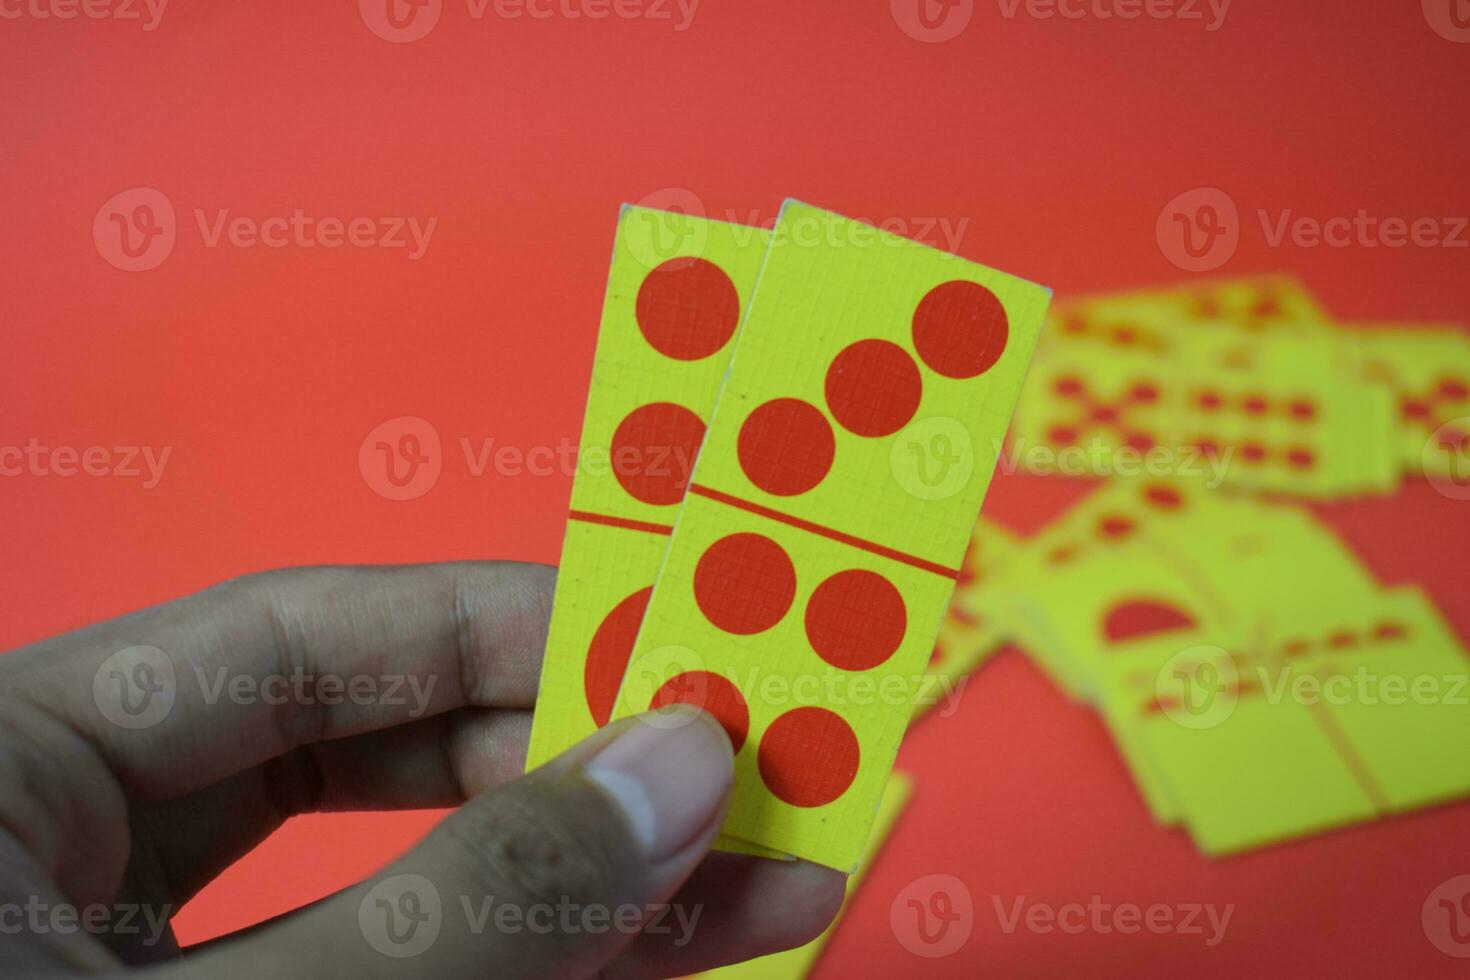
<point x="549" y="876"/>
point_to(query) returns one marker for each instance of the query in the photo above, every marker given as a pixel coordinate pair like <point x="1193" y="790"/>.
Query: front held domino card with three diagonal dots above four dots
<point x="830" y="511"/>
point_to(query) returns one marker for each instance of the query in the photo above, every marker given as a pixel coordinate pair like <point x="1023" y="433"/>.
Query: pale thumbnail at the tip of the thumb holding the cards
<point x="670" y="774"/>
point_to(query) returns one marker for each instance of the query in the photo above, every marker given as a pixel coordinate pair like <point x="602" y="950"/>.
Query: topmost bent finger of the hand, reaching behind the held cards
<point x="246" y="672"/>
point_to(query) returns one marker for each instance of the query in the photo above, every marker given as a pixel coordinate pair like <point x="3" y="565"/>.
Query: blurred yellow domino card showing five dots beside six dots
<point x="1258" y="412"/>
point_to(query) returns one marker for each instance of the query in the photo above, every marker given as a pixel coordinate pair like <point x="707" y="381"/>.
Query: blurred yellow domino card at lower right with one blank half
<point x="1244" y="763"/>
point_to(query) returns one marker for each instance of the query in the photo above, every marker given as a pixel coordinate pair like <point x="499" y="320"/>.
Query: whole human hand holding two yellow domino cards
<point x="143" y="756"/>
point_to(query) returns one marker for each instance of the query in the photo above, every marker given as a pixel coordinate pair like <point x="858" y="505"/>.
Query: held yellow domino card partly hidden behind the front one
<point x="675" y="295"/>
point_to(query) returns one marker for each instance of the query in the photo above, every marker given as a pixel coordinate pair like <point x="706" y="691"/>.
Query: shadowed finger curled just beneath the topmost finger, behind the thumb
<point x="429" y="765"/>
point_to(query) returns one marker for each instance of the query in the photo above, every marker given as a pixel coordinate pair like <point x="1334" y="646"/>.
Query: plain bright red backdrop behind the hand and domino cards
<point x="264" y="370"/>
